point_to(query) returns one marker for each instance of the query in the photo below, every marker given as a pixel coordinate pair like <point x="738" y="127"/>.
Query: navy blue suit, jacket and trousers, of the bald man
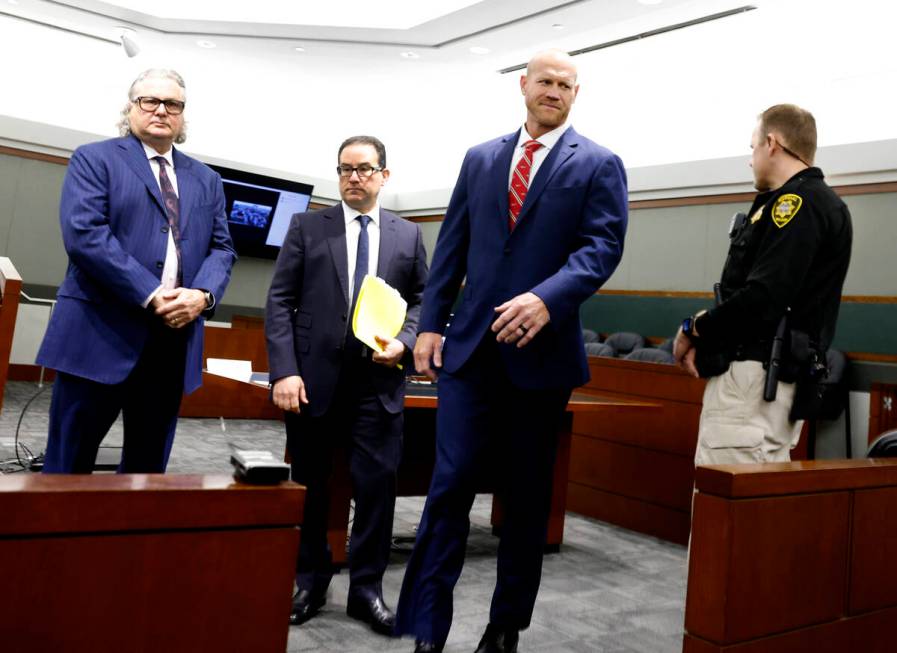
<point x="567" y="242"/>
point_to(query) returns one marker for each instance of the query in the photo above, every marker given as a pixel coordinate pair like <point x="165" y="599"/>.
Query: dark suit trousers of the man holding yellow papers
<point x="372" y="437"/>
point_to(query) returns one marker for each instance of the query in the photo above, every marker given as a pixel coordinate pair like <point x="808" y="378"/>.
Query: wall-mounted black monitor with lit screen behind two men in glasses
<point x="259" y="209"/>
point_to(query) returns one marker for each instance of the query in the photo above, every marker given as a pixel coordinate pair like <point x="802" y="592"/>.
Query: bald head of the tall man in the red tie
<point x="549" y="87"/>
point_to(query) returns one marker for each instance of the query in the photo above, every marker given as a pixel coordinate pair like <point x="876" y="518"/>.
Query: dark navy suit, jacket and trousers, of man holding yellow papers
<point x="353" y="402"/>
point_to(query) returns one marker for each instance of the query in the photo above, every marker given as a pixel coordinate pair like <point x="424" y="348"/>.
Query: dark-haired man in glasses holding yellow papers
<point x="334" y="390"/>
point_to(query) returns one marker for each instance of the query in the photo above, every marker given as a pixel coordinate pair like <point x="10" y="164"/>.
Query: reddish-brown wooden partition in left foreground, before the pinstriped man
<point x="146" y="563"/>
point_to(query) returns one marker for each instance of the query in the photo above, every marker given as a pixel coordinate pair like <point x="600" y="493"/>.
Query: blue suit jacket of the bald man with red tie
<point x="567" y="242"/>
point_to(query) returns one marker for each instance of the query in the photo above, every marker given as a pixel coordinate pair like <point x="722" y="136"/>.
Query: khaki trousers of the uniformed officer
<point x="738" y="426"/>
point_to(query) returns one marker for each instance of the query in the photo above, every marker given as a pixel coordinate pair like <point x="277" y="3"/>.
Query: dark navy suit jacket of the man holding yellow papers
<point x="306" y="318"/>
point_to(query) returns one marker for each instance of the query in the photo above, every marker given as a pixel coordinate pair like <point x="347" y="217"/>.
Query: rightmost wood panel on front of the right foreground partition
<point x="873" y="572"/>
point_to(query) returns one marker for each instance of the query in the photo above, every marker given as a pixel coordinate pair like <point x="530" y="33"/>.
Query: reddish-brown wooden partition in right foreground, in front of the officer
<point x="793" y="557"/>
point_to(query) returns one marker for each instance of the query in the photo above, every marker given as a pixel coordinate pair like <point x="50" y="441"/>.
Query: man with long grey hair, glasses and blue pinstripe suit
<point x="149" y="257"/>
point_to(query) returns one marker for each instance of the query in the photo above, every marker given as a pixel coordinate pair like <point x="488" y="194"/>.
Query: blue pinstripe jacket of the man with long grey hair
<point x="115" y="232"/>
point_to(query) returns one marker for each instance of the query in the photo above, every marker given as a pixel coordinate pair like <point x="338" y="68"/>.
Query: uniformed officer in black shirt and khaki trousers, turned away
<point x="787" y="258"/>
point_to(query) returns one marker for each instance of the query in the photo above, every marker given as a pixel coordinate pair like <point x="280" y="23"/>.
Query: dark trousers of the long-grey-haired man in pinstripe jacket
<point x="82" y="411"/>
